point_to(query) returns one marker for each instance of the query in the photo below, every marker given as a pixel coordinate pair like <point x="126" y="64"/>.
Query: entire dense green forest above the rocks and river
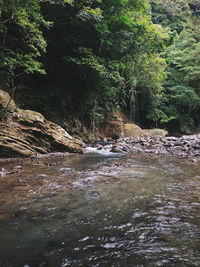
<point x="85" y="58"/>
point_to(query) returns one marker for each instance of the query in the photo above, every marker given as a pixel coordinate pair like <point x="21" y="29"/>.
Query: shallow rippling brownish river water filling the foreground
<point x="100" y="210"/>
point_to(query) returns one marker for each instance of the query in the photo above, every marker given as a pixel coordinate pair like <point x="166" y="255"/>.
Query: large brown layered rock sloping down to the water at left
<point x="27" y="133"/>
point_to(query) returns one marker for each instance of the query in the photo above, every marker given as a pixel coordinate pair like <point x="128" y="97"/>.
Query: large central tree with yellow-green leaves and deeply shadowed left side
<point x="105" y="45"/>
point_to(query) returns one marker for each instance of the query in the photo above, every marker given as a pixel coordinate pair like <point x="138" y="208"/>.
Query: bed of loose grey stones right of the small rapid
<point x="182" y="147"/>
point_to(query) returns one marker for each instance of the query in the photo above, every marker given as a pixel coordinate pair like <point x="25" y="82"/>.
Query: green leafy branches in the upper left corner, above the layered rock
<point x="21" y="40"/>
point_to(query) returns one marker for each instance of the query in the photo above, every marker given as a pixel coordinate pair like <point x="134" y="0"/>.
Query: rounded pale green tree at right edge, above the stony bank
<point x="182" y="97"/>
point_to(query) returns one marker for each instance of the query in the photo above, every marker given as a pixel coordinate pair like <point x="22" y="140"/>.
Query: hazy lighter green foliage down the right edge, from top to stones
<point x="180" y="106"/>
